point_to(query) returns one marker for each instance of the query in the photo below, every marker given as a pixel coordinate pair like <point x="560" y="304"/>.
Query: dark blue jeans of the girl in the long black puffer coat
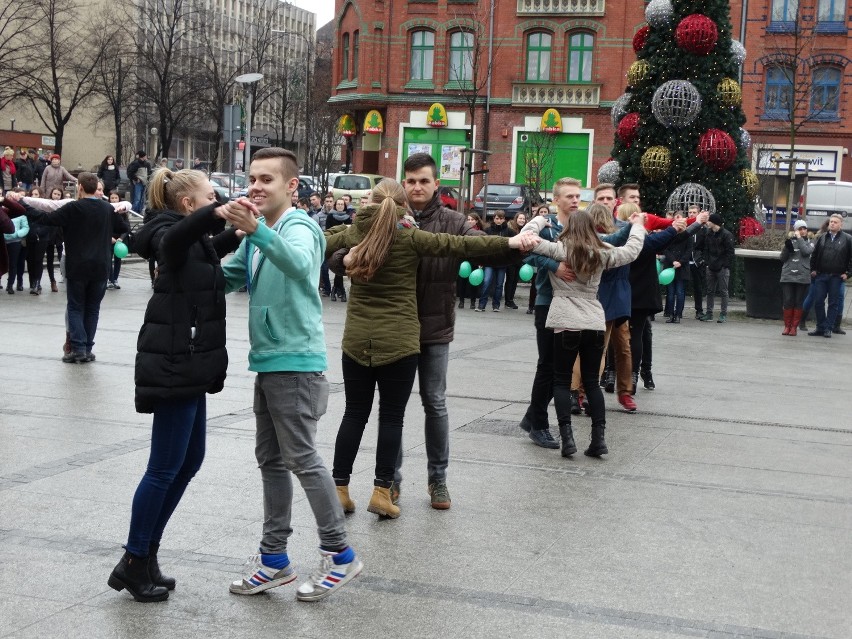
<point x="177" y="450"/>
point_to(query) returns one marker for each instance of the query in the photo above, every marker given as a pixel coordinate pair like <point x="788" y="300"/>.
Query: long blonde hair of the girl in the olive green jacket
<point x="389" y="197"/>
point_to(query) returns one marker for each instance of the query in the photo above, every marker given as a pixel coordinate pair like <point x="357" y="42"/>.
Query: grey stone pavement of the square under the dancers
<point x="723" y="510"/>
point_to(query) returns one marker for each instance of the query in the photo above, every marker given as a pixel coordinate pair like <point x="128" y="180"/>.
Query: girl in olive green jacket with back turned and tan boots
<point x="381" y="340"/>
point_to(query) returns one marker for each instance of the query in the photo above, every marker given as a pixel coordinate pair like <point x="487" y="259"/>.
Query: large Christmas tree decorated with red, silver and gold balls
<point x="678" y="127"/>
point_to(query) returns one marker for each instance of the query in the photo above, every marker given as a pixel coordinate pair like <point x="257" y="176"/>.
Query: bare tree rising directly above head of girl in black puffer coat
<point x="165" y="51"/>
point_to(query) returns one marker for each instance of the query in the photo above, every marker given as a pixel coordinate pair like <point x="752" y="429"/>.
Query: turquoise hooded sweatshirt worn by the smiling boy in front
<point x="285" y="310"/>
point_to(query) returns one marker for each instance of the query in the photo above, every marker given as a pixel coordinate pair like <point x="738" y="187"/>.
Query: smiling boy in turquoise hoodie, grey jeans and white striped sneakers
<point x="279" y="264"/>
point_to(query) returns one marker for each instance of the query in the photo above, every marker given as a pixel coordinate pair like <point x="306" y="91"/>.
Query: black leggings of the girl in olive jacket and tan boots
<point x="395" y="382"/>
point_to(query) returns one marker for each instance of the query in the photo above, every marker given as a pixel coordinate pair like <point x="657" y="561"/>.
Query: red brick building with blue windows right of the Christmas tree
<point x="798" y="74"/>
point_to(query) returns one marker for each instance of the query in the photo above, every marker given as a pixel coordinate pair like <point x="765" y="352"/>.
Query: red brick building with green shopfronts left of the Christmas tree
<point x="400" y="57"/>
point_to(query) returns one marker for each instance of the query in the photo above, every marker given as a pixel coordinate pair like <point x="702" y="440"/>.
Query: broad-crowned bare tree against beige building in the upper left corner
<point x="62" y="69"/>
